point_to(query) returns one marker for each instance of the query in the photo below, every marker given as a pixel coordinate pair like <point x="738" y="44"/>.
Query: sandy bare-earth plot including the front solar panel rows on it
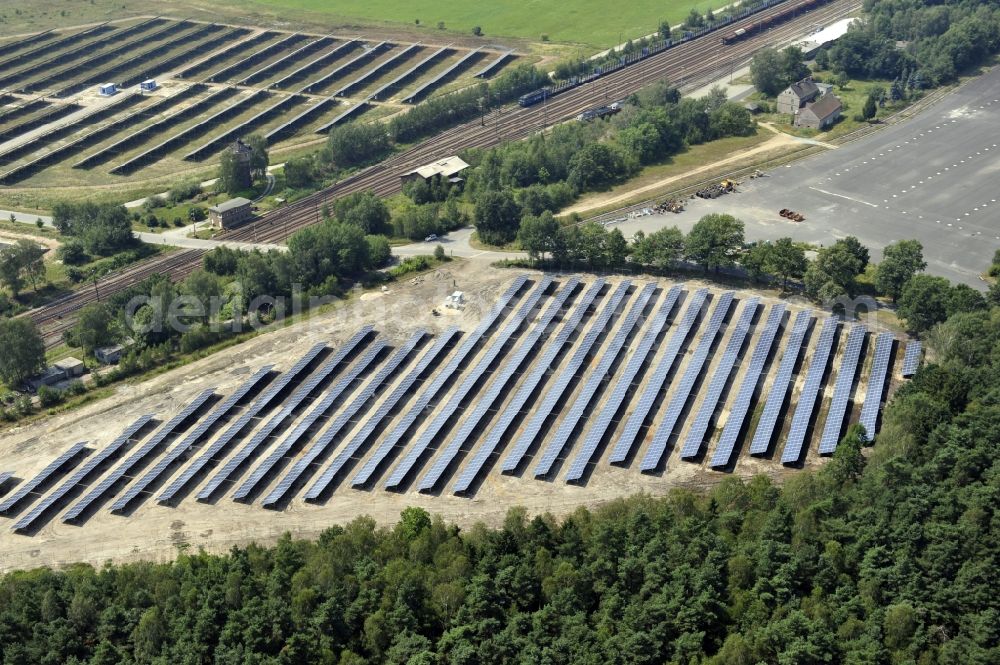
<point x="579" y="391"/>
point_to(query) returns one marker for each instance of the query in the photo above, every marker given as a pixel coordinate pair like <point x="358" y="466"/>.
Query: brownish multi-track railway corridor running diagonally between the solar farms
<point x="686" y="65"/>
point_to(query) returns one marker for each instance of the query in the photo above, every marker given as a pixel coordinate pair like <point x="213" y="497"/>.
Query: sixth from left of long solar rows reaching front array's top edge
<point x="598" y="375"/>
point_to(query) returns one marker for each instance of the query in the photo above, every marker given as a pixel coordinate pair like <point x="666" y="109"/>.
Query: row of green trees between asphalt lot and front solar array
<point x="717" y="243"/>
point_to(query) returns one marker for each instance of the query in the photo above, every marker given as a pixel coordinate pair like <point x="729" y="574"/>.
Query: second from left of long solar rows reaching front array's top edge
<point x="475" y="375"/>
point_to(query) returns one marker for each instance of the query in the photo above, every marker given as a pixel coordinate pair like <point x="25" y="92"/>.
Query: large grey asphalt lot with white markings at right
<point x="935" y="178"/>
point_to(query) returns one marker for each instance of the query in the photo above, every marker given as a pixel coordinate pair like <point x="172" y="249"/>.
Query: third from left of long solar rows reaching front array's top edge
<point x="486" y="400"/>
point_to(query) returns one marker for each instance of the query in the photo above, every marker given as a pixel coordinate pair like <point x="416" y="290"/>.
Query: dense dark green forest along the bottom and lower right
<point x="887" y="556"/>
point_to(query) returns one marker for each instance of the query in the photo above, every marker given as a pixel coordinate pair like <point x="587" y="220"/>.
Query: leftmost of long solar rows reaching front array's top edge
<point x="431" y="390"/>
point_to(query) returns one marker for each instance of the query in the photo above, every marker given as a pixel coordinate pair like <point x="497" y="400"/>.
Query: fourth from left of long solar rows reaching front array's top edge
<point x="514" y="408"/>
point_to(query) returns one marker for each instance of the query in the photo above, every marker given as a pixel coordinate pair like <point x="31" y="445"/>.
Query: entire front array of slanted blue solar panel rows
<point x="555" y="373"/>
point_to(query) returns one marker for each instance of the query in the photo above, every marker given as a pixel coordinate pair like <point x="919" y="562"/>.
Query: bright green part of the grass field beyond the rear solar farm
<point x="593" y="22"/>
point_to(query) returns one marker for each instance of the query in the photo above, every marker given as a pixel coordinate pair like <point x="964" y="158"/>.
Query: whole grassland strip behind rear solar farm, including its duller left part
<point x="593" y="23"/>
